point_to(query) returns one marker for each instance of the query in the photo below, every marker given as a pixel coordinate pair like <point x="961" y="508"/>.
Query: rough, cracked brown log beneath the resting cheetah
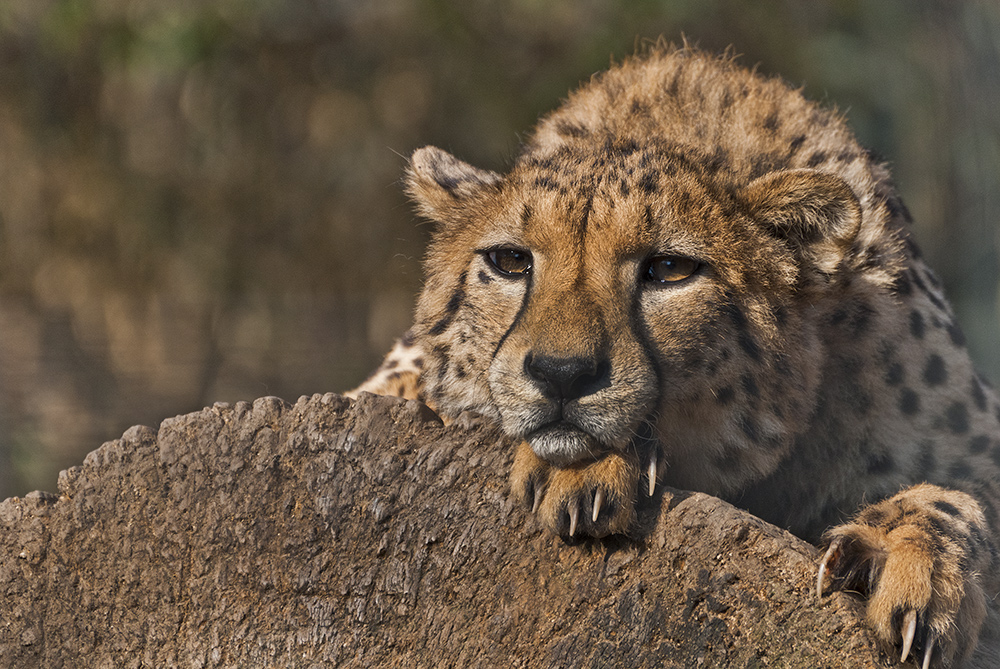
<point x="332" y="533"/>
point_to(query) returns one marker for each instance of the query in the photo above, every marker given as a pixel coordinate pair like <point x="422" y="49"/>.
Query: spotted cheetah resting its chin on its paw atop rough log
<point x="692" y="276"/>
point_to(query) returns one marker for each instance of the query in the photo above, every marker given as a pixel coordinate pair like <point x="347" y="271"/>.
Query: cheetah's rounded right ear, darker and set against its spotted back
<point x="817" y="213"/>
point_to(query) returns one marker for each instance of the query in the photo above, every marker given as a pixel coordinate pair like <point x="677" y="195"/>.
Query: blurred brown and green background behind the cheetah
<point x="200" y="199"/>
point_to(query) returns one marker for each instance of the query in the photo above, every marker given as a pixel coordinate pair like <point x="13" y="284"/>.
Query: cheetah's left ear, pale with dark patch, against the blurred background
<point x="439" y="182"/>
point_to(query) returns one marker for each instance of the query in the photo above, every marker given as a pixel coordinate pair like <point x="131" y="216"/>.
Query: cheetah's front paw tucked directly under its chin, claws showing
<point x="593" y="499"/>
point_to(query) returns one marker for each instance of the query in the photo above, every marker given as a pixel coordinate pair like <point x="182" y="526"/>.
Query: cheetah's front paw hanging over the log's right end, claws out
<point x="916" y="556"/>
